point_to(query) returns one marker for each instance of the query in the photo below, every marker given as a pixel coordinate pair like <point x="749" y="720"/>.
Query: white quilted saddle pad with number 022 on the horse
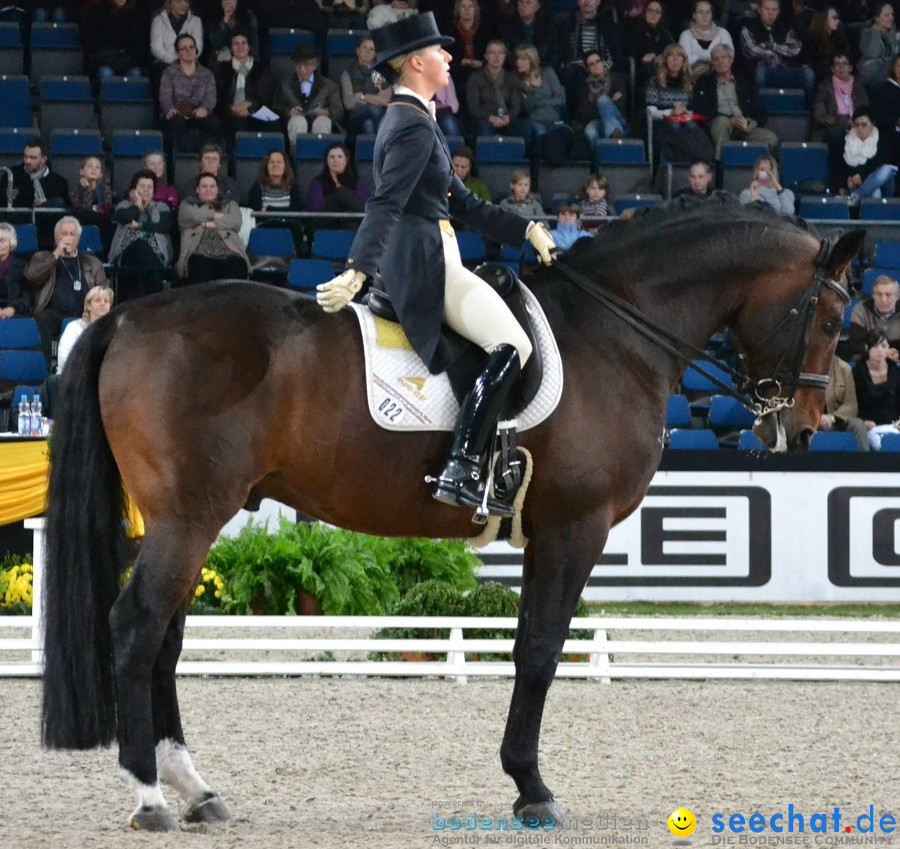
<point x="404" y="395"/>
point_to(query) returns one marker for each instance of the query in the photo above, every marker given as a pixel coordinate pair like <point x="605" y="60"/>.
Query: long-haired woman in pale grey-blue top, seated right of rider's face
<point x="544" y="104"/>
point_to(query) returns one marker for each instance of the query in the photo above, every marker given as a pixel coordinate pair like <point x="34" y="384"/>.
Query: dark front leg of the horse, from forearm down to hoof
<point x="556" y="568"/>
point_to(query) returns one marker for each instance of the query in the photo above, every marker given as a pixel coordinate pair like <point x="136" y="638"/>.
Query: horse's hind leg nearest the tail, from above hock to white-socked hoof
<point x="147" y="627"/>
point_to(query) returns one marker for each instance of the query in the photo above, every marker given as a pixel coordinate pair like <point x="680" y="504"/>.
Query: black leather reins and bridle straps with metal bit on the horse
<point x="755" y="395"/>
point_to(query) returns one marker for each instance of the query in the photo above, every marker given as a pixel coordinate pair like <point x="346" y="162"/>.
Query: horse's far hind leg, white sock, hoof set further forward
<point x="200" y="803"/>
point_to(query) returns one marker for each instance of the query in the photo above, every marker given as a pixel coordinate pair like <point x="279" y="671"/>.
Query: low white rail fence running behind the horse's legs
<point x="621" y="647"/>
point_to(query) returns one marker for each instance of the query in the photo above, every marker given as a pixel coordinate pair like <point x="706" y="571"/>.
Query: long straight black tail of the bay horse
<point x="85" y="553"/>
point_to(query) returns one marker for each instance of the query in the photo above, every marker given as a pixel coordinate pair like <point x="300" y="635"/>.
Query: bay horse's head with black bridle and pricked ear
<point x="789" y="341"/>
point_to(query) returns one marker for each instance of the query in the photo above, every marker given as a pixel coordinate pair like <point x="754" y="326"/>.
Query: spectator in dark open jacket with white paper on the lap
<point x="244" y="85"/>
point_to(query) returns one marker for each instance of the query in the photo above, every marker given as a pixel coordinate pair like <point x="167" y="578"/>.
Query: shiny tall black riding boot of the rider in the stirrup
<point x="463" y="480"/>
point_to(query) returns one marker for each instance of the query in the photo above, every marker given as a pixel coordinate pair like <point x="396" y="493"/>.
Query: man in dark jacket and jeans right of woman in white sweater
<point x="772" y="48"/>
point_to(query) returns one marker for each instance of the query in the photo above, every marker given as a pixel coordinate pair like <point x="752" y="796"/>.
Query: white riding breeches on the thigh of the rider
<point x="474" y="310"/>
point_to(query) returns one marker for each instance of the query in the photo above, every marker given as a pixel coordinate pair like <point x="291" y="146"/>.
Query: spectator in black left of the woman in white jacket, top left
<point x="115" y="39"/>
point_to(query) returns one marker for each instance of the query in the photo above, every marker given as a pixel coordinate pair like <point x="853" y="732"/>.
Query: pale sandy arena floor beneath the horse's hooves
<point x="345" y="763"/>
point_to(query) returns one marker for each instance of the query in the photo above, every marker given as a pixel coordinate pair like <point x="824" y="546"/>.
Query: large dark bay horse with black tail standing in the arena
<point x="207" y="399"/>
